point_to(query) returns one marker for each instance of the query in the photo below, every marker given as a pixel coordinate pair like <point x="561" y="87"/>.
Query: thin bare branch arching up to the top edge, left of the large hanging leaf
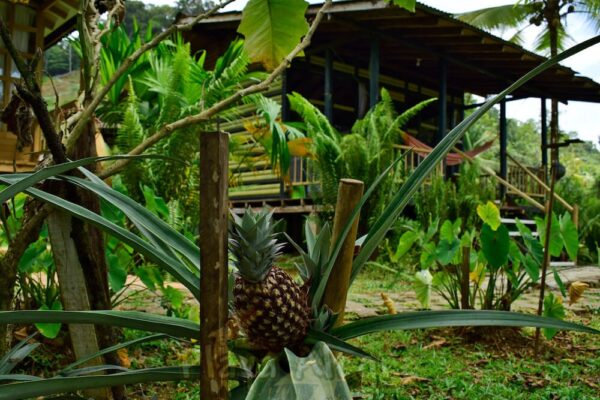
<point x="87" y="113"/>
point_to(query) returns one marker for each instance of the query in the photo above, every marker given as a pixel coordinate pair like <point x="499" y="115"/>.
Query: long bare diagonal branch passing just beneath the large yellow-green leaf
<point x="223" y="104"/>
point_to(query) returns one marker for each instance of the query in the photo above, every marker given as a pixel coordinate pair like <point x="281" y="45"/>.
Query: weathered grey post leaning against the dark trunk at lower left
<point x="73" y="291"/>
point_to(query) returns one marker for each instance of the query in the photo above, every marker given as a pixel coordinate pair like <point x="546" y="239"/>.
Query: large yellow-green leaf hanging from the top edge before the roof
<point x="272" y="28"/>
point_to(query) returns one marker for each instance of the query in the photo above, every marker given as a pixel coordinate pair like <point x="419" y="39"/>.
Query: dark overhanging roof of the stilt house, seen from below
<point x="415" y="45"/>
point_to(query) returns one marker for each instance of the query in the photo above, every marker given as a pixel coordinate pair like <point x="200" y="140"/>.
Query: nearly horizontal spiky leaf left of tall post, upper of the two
<point x="176" y="327"/>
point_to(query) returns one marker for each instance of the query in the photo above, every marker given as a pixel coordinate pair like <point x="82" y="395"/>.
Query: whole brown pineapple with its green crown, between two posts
<point x="271" y="307"/>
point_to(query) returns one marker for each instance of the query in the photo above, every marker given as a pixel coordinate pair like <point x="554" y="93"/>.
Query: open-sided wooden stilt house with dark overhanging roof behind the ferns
<point x="364" y="45"/>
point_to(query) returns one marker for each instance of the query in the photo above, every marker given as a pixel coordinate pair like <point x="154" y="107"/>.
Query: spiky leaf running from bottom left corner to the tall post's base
<point x="24" y="390"/>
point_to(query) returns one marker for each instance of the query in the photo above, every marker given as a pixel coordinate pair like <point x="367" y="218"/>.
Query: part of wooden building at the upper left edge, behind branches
<point x="34" y="24"/>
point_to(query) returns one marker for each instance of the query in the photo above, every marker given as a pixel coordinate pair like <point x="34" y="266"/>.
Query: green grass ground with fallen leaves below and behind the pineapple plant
<point x="428" y="364"/>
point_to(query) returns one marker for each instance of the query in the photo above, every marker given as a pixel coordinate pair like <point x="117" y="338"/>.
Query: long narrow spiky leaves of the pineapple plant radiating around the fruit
<point x="174" y="253"/>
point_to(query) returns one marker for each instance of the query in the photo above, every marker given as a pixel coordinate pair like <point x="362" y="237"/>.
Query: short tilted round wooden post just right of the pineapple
<point x="349" y="194"/>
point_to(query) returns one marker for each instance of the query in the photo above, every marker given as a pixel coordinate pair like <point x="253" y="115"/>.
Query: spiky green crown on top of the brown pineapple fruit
<point x="253" y="243"/>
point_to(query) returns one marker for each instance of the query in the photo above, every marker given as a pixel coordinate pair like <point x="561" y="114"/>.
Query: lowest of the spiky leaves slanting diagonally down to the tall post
<point x="169" y="264"/>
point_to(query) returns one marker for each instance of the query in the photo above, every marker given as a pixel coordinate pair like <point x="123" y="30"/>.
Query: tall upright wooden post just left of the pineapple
<point x="214" y="266"/>
